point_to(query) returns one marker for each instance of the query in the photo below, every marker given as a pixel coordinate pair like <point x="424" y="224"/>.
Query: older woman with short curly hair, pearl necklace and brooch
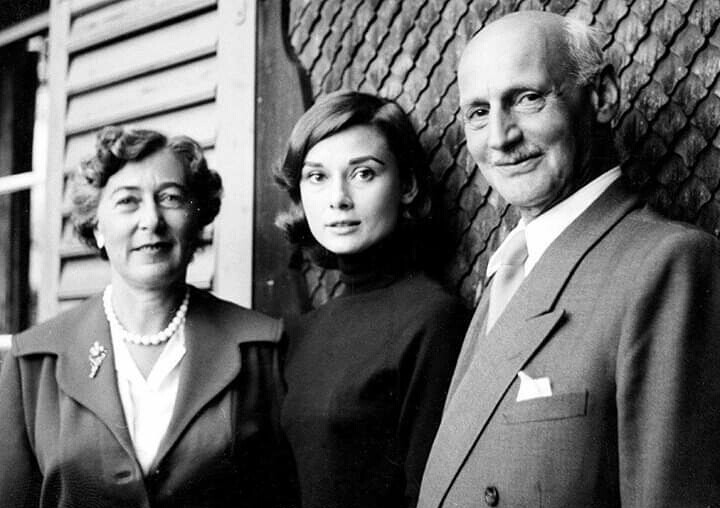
<point x="155" y="393"/>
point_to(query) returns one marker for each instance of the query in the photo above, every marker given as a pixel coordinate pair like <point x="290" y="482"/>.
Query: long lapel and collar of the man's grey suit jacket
<point x="528" y="320"/>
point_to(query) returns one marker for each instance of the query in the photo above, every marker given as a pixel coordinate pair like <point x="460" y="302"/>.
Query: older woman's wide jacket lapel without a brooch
<point x="212" y="361"/>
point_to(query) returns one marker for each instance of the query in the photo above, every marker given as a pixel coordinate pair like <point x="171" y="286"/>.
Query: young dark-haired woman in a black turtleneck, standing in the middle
<point x="367" y="372"/>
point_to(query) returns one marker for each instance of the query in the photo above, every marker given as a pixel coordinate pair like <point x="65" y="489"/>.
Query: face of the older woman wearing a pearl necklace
<point x="146" y="222"/>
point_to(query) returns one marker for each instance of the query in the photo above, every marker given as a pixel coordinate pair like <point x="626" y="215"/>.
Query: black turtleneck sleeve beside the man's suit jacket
<point x="427" y="375"/>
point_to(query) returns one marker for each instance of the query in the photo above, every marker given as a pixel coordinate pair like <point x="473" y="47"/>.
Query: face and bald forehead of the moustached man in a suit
<point x="524" y="124"/>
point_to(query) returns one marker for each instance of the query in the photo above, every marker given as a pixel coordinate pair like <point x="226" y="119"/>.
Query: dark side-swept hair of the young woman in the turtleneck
<point x="330" y="115"/>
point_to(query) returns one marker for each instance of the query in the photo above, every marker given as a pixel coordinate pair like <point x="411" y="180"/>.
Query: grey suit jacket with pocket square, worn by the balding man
<point x="622" y="314"/>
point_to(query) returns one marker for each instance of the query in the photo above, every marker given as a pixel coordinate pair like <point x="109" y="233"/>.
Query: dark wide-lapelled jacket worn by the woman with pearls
<point x="63" y="437"/>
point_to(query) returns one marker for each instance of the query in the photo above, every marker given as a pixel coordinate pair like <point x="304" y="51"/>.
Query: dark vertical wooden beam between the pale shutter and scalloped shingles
<point x="283" y="96"/>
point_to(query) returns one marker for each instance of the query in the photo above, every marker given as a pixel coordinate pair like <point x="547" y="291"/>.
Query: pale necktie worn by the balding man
<point x="508" y="276"/>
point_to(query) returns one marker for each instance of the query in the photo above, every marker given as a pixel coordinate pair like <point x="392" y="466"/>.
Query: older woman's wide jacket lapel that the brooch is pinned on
<point x="98" y="394"/>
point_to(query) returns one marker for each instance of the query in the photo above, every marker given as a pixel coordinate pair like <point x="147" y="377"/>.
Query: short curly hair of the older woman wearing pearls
<point x="115" y="147"/>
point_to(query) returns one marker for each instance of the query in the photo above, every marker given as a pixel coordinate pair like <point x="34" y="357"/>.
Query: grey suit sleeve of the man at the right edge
<point x="668" y="378"/>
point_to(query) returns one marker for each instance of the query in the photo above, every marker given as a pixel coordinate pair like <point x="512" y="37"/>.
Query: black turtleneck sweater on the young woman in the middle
<point x="367" y="376"/>
